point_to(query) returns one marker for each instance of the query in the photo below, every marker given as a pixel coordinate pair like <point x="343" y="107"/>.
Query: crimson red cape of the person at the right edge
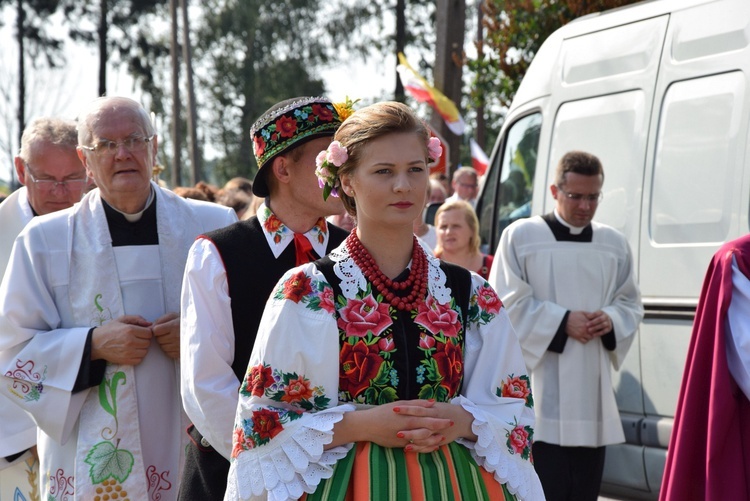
<point x="709" y="450"/>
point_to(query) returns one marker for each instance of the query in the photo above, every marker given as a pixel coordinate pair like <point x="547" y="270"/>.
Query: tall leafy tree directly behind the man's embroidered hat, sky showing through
<point x="257" y="53"/>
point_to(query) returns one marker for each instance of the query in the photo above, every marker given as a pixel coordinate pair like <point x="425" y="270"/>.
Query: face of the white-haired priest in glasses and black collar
<point x="123" y="173"/>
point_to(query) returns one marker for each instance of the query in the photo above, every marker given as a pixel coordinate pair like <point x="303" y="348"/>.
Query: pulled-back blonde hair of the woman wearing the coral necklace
<point x="370" y="123"/>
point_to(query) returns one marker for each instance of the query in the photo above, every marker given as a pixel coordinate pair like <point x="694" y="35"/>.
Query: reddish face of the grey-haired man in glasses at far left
<point x="53" y="175"/>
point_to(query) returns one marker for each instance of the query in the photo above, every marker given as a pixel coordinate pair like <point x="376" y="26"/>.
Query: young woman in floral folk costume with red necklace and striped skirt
<point x="380" y="372"/>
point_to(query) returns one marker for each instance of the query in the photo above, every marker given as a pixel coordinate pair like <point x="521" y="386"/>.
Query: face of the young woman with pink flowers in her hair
<point x="389" y="184"/>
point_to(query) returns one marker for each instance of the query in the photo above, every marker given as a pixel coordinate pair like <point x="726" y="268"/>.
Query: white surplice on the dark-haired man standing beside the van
<point x="538" y="279"/>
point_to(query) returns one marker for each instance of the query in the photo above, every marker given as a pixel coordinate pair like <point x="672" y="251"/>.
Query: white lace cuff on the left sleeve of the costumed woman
<point x="293" y="463"/>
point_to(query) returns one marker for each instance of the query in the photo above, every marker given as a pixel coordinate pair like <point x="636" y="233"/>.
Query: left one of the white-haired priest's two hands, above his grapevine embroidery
<point x="122" y="341"/>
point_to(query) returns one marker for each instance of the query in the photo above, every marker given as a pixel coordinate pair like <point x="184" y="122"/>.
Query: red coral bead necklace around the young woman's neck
<point x="417" y="279"/>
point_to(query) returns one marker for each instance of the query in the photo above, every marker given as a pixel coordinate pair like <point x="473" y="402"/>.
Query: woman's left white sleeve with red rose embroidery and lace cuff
<point x="288" y="399"/>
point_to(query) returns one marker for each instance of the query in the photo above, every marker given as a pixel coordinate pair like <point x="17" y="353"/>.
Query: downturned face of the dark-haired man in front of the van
<point x="578" y="198"/>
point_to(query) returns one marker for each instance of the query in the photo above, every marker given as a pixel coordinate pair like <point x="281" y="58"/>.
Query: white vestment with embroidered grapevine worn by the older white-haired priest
<point x="66" y="278"/>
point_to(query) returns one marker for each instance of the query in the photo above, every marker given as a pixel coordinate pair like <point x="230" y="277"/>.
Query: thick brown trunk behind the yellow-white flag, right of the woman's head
<point x="450" y="29"/>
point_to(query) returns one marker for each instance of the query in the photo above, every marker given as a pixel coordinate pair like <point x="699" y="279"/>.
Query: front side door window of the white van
<point x="507" y="193"/>
